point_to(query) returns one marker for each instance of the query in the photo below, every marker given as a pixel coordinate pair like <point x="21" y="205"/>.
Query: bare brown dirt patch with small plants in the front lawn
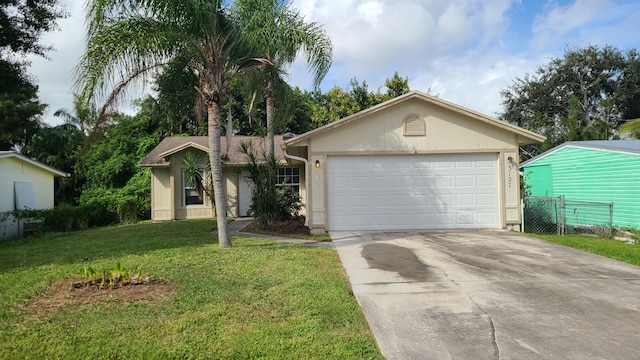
<point x="65" y="292"/>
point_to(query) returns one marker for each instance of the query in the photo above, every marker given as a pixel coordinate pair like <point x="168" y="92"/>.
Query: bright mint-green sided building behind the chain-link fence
<point x="592" y="175"/>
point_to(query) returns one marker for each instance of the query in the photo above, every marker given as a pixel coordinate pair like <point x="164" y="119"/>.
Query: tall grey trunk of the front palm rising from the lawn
<point x="213" y="113"/>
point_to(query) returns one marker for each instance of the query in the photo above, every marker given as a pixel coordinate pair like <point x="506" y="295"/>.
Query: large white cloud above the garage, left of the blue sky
<point x="418" y="40"/>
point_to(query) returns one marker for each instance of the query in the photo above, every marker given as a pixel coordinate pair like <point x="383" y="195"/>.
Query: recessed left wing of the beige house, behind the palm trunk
<point x="173" y="199"/>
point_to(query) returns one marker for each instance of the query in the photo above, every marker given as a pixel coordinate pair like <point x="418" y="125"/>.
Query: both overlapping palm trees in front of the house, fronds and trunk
<point x="130" y="40"/>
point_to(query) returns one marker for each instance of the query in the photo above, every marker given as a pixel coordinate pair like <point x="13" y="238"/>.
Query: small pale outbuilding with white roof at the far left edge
<point x="24" y="184"/>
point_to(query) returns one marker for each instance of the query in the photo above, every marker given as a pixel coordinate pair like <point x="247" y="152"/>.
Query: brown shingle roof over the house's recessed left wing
<point x="171" y="145"/>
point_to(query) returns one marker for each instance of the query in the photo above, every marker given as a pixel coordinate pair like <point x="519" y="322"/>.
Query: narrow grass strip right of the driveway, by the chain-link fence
<point x="614" y="249"/>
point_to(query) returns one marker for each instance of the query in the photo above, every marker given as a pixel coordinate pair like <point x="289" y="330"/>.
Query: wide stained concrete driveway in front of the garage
<point x="491" y="295"/>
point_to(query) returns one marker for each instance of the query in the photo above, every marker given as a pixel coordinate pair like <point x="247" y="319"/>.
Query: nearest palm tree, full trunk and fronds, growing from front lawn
<point x="131" y="40"/>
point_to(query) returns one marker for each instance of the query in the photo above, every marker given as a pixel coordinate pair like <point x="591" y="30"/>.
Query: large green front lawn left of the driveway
<point x="259" y="299"/>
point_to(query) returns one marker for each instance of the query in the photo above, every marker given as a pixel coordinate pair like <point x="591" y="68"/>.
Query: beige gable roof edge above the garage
<point x="525" y="136"/>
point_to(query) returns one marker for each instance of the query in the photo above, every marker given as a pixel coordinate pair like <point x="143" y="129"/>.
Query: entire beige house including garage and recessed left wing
<point x="413" y="162"/>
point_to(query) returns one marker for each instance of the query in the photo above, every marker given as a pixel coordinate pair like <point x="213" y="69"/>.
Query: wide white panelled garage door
<point x="413" y="191"/>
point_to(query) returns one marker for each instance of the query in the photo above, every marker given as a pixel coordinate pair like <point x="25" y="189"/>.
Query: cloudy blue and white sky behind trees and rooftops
<point x="464" y="51"/>
